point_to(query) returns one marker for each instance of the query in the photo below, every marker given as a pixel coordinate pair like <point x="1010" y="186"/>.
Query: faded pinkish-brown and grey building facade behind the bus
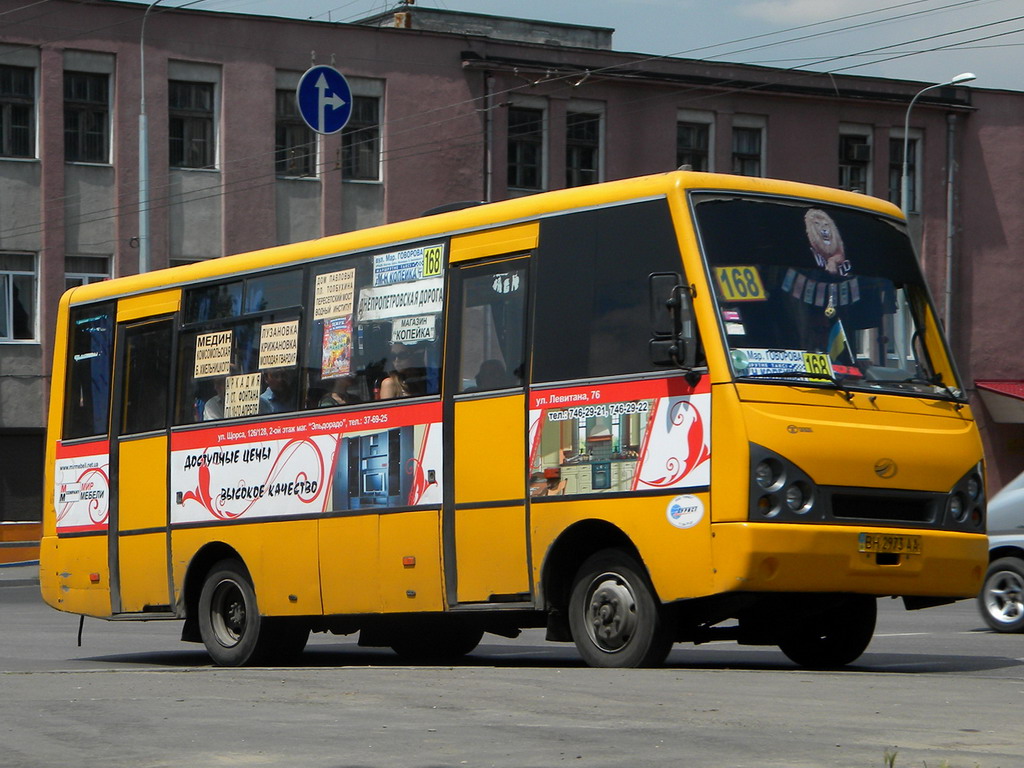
<point x="448" y="107"/>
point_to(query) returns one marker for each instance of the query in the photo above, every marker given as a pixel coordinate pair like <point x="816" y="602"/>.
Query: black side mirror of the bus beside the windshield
<point x="673" y="336"/>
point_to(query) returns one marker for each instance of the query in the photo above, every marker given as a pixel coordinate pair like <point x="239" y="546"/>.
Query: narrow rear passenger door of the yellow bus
<point x="139" y="521"/>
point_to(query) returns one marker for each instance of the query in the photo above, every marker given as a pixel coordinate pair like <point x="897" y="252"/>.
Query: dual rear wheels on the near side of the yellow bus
<point x="232" y="628"/>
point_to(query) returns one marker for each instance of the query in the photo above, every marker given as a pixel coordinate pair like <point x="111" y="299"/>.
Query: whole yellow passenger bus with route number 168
<point x="677" y="408"/>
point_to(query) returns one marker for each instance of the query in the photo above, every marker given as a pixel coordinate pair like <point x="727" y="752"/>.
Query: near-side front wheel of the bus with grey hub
<point x="615" y="617"/>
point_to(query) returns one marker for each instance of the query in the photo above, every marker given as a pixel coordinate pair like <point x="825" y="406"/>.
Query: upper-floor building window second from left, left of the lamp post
<point x="87" y="117"/>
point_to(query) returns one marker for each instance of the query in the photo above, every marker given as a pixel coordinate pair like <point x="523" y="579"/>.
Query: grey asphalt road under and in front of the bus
<point x="934" y="687"/>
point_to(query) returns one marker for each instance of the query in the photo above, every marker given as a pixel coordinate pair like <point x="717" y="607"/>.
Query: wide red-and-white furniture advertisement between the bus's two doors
<point x="377" y="459"/>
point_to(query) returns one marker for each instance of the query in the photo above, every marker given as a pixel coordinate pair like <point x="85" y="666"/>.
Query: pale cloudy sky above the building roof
<point x="930" y="41"/>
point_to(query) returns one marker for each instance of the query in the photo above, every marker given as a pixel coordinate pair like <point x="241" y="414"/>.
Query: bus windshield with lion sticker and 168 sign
<point x="824" y="295"/>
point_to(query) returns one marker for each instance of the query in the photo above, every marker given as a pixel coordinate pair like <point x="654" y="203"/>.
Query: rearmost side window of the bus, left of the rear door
<point x="88" y="394"/>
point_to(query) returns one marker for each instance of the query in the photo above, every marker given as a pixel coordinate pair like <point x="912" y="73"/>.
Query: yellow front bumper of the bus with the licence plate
<point x="782" y="558"/>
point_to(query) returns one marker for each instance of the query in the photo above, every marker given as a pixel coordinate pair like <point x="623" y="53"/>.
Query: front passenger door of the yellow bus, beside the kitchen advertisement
<point x="486" y="519"/>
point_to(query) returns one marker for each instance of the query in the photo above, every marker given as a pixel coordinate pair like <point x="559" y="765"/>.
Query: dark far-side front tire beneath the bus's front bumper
<point x="833" y="636"/>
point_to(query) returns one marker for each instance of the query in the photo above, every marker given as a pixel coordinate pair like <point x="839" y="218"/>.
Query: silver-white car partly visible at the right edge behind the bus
<point x="1002" y="598"/>
